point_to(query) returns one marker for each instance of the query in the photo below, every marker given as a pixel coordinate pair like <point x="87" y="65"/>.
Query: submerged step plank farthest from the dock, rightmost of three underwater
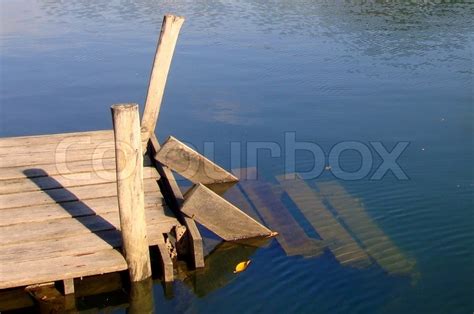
<point x="379" y="246"/>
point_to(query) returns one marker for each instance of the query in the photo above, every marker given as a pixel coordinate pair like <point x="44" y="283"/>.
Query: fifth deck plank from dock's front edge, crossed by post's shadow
<point x="74" y="193"/>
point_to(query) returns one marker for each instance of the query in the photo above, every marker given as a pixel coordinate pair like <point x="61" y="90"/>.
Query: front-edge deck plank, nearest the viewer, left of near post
<point x="58" y="268"/>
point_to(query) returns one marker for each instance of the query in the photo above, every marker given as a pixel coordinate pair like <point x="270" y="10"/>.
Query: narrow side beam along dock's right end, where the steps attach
<point x="175" y="200"/>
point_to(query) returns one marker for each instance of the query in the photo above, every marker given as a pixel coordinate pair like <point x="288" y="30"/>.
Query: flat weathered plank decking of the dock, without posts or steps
<point x="59" y="218"/>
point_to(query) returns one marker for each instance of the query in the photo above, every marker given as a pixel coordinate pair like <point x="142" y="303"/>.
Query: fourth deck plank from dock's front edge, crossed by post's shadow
<point x="95" y="206"/>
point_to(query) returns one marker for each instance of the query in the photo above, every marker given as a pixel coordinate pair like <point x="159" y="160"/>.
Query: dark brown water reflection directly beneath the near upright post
<point x="141" y="297"/>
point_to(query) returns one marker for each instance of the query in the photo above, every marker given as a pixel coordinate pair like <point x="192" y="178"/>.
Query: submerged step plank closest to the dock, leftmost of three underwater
<point x="291" y="236"/>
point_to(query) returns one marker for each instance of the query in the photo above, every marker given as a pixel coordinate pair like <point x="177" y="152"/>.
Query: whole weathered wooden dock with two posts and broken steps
<point x="81" y="204"/>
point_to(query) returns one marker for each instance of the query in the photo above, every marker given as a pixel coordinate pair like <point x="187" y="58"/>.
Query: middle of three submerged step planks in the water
<point x="344" y="247"/>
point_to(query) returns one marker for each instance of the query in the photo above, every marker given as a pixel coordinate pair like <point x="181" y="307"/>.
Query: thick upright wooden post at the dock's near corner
<point x="129" y="160"/>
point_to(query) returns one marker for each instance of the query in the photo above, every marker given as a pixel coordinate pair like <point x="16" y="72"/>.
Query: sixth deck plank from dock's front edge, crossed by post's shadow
<point x="47" y="182"/>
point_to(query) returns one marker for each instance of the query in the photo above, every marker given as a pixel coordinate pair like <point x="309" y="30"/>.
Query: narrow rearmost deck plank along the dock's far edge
<point x="40" y="140"/>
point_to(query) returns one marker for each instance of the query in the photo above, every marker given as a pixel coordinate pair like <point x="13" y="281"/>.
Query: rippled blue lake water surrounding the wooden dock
<point x="252" y="71"/>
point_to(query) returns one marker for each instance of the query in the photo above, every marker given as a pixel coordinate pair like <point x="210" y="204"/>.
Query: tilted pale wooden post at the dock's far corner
<point x="159" y="73"/>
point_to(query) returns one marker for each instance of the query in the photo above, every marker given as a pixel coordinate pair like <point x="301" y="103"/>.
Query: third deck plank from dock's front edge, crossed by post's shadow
<point x="58" y="228"/>
